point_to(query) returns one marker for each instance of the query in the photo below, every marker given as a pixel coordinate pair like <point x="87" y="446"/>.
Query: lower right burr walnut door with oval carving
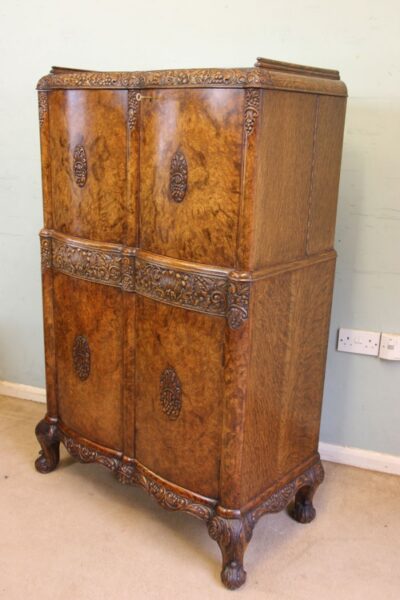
<point x="179" y="383"/>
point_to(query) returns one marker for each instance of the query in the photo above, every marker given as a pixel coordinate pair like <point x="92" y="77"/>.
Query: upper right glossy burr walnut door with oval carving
<point x="190" y="154"/>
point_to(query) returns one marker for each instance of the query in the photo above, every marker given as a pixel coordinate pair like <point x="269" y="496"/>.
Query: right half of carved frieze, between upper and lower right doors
<point x="204" y="293"/>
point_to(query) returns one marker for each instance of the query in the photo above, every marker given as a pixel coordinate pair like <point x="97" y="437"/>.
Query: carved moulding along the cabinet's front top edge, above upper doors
<point x="251" y="77"/>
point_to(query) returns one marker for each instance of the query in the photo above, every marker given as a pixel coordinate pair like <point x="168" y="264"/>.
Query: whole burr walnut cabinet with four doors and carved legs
<point x="188" y="264"/>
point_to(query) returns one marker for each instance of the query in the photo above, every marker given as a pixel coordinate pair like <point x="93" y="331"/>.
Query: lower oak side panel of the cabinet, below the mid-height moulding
<point x="289" y="340"/>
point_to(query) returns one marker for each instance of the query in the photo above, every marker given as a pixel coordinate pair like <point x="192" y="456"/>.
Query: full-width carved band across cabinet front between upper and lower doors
<point x="195" y="288"/>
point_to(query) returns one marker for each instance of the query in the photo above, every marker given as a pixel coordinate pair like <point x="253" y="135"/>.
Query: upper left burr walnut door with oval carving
<point x="88" y="149"/>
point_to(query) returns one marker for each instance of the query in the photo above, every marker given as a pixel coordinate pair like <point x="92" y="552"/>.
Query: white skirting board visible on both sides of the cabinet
<point x="354" y="457"/>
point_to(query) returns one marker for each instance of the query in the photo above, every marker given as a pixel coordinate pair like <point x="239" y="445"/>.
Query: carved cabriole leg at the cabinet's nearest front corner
<point x="232" y="536"/>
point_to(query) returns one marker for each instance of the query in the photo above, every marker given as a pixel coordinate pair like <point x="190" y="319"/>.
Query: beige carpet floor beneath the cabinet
<point x="76" y="534"/>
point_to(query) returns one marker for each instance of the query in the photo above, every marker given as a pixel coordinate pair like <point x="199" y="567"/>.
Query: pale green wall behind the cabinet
<point x="361" y="38"/>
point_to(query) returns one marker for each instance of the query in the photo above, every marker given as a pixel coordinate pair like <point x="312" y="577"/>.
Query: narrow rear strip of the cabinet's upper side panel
<point x="326" y="173"/>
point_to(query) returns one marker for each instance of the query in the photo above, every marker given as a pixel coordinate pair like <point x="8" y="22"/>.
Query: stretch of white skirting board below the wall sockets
<point x="363" y="459"/>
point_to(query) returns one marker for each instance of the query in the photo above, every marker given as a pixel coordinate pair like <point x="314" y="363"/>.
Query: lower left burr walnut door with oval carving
<point x="88" y="326"/>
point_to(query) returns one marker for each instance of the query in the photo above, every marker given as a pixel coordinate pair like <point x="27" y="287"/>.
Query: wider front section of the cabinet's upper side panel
<point x="284" y="163"/>
